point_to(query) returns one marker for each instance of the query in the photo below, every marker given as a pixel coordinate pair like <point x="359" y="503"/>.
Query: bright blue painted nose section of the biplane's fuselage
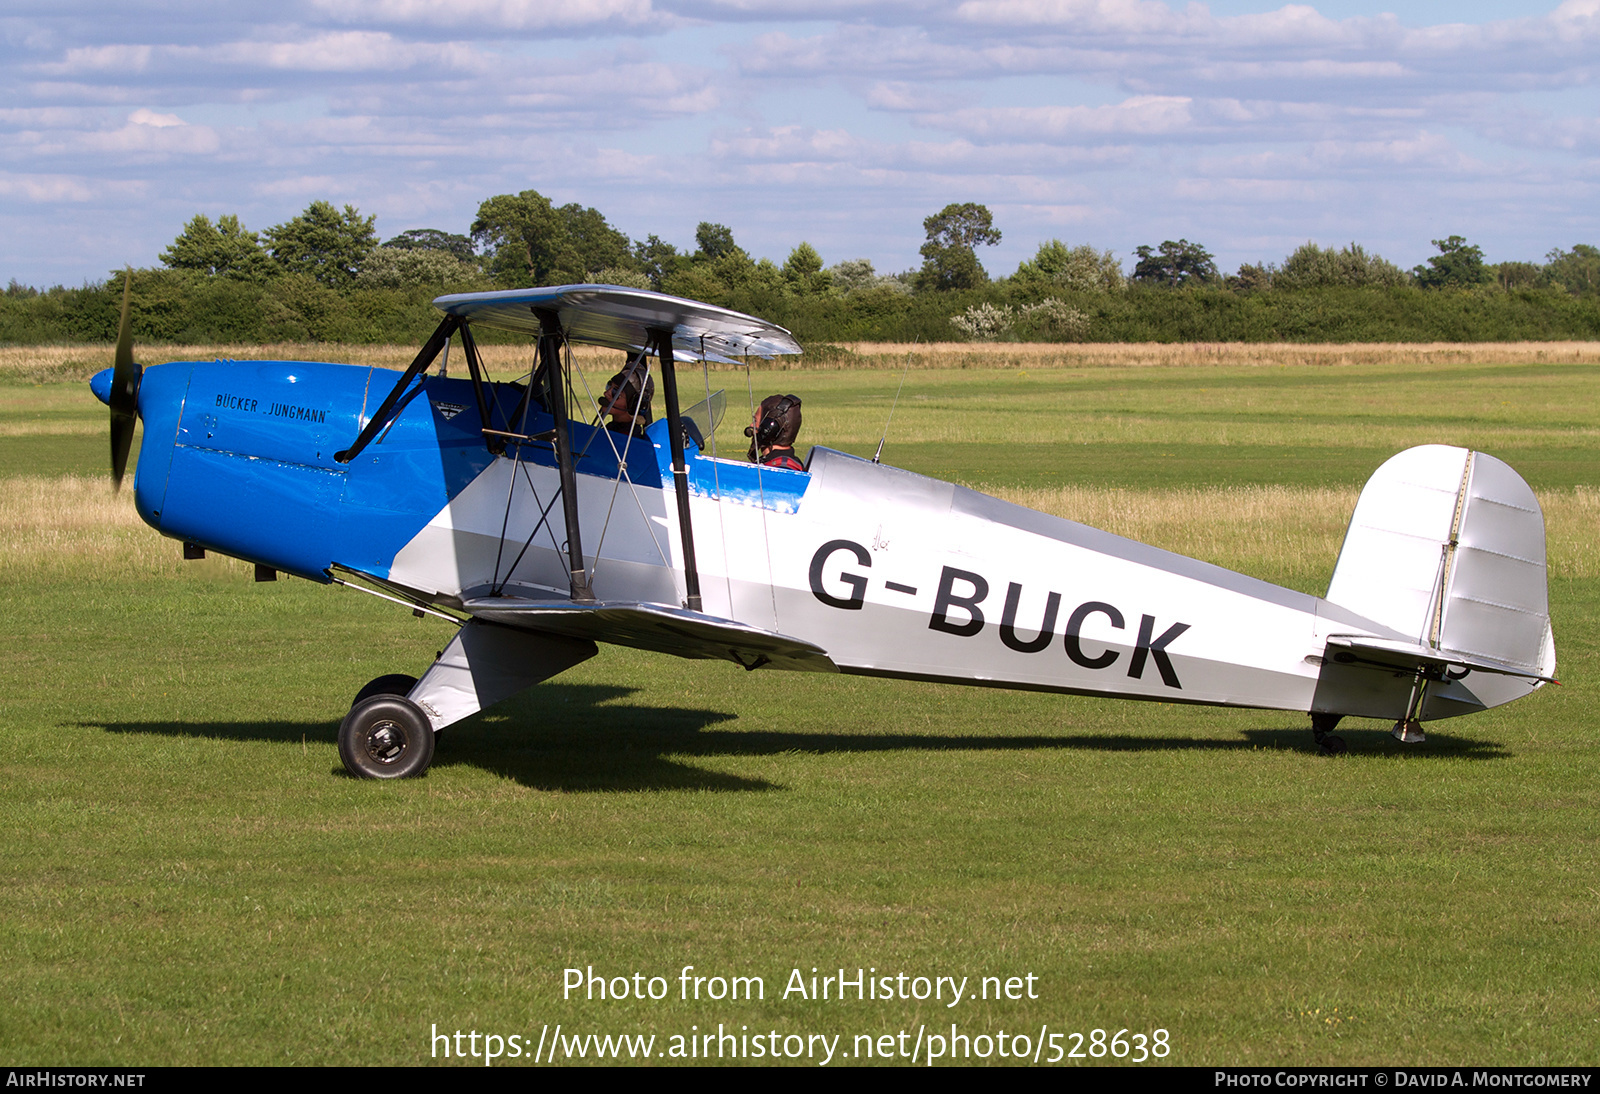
<point x="239" y="457"/>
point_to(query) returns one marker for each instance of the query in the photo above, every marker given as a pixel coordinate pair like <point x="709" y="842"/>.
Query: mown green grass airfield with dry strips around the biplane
<point x="191" y="879"/>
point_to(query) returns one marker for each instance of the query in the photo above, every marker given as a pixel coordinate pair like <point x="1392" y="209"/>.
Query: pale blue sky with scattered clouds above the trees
<point x="1246" y="127"/>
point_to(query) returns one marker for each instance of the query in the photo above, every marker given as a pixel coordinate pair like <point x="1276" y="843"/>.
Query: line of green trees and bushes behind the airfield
<point x="326" y="276"/>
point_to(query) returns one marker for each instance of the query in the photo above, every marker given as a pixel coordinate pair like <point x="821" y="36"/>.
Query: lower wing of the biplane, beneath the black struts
<point x="657" y="628"/>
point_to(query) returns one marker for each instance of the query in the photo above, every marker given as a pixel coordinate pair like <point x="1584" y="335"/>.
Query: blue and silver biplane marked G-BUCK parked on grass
<point x="540" y="535"/>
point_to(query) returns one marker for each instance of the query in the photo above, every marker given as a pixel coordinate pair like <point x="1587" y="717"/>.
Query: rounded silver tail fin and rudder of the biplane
<point x="1447" y="548"/>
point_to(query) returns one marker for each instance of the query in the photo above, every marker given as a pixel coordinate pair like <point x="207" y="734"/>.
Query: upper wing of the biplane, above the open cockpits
<point x="623" y="319"/>
